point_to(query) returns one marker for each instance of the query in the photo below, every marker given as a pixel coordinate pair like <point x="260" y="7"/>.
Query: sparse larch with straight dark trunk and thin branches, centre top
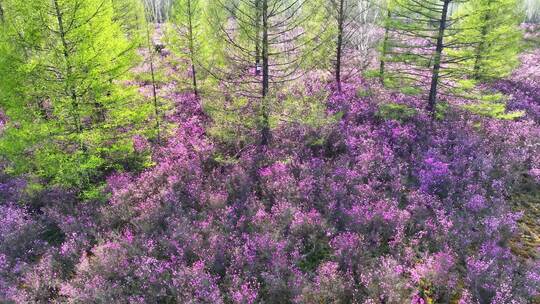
<point x="265" y="47"/>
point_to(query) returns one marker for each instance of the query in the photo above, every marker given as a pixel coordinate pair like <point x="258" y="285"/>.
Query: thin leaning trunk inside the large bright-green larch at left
<point x="70" y="88"/>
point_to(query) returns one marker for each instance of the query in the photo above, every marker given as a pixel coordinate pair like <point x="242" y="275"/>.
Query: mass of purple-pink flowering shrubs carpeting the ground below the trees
<point x="368" y="209"/>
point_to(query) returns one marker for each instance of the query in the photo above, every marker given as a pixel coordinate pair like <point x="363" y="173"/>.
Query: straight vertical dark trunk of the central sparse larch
<point x="265" y="131"/>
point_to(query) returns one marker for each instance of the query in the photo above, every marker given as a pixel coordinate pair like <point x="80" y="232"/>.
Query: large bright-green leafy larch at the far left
<point x="72" y="112"/>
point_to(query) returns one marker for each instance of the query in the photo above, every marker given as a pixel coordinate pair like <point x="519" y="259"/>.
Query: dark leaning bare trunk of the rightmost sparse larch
<point x="438" y="57"/>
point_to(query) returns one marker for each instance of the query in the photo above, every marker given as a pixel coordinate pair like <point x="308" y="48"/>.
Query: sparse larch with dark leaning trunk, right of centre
<point x="422" y="33"/>
